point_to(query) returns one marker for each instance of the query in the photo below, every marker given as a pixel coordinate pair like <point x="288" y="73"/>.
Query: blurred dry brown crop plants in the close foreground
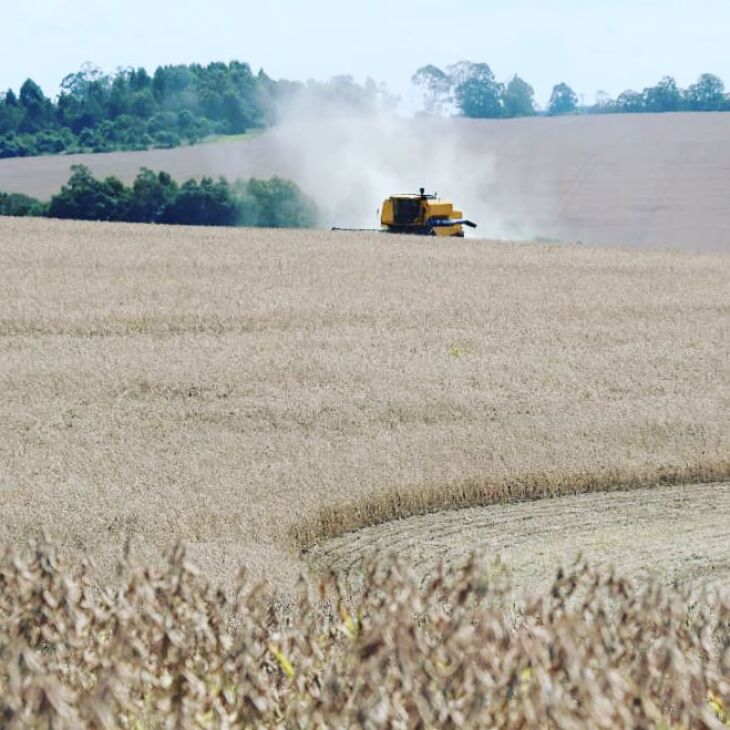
<point x="162" y="648"/>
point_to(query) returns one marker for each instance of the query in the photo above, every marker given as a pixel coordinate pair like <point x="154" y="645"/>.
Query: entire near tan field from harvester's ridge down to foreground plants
<point x="260" y="396"/>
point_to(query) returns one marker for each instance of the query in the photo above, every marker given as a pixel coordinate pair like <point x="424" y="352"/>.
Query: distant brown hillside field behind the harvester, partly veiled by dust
<point x="637" y="180"/>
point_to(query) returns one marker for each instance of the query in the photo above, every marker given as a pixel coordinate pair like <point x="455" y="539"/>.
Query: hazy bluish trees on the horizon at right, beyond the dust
<point x="472" y="90"/>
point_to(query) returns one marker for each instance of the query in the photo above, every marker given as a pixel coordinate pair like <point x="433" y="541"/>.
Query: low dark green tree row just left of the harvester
<point x="154" y="197"/>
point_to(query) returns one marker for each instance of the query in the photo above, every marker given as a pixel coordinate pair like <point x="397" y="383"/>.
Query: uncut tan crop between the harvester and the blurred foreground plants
<point x="253" y="393"/>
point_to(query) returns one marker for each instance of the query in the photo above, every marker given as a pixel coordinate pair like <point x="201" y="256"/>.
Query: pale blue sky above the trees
<point x="592" y="45"/>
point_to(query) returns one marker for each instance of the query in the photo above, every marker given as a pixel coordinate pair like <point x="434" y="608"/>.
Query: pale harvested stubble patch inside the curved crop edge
<point x="674" y="533"/>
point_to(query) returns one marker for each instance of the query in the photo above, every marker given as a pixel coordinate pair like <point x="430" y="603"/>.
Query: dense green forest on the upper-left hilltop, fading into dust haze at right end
<point x="133" y="110"/>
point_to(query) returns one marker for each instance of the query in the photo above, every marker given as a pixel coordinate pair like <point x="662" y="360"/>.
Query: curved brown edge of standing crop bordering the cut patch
<point x="395" y="504"/>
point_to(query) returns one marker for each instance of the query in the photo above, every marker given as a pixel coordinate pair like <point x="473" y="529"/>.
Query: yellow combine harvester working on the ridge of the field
<point x="421" y="215"/>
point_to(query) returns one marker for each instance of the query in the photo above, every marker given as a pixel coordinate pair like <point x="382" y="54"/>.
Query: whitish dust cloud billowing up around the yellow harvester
<point x="349" y="164"/>
